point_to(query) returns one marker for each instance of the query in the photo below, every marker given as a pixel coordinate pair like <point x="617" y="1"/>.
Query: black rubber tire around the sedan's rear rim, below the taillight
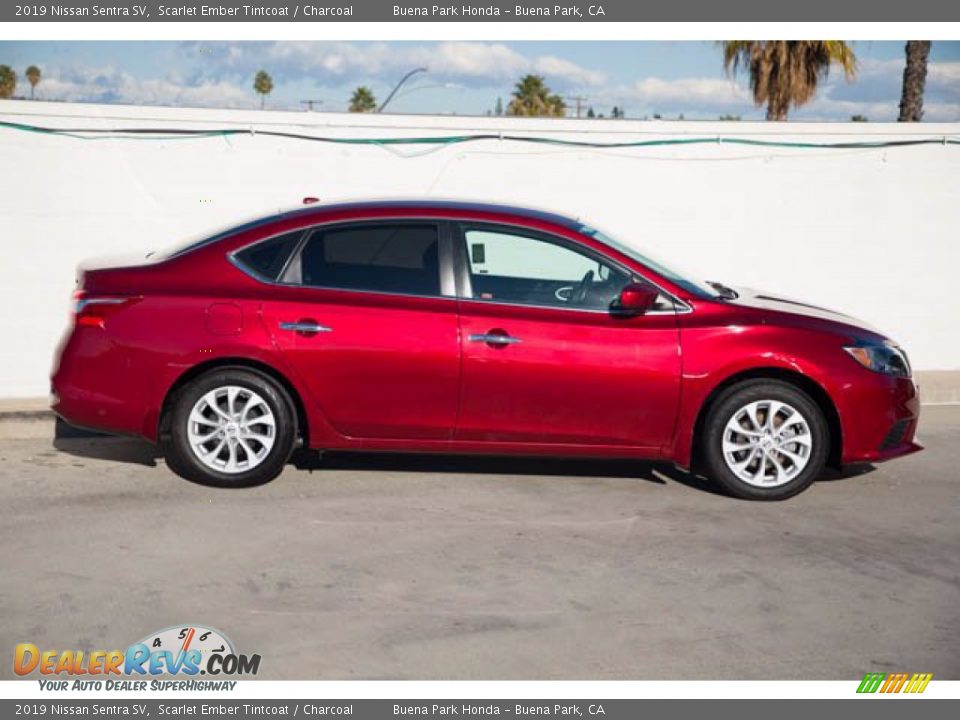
<point x="181" y="458"/>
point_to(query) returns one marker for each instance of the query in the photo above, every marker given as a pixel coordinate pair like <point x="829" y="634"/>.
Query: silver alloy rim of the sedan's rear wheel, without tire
<point x="231" y="429"/>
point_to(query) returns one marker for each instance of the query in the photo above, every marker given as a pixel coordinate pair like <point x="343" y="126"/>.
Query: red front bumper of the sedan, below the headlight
<point x="879" y="416"/>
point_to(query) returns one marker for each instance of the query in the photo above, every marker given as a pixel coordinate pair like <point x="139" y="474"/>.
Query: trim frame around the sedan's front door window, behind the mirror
<point x="464" y="284"/>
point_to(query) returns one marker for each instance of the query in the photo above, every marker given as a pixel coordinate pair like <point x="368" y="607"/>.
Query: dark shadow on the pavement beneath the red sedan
<point x="87" y="444"/>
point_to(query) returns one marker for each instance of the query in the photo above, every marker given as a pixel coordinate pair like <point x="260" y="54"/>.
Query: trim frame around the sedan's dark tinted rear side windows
<point x="444" y="250"/>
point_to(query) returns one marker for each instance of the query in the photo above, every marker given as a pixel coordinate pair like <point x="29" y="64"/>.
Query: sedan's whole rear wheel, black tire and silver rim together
<point x="231" y="427"/>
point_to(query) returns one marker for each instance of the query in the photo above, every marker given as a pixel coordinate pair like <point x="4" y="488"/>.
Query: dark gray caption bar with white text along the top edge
<point x="480" y="11"/>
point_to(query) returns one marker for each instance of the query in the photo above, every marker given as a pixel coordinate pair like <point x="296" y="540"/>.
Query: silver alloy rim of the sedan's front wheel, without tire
<point x="767" y="443"/>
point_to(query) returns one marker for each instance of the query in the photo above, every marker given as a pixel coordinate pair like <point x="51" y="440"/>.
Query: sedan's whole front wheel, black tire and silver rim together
<point x="765" y="440"/>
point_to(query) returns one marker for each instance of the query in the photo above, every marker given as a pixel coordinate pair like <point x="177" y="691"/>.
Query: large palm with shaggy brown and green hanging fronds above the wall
<point x="786" y="73"/>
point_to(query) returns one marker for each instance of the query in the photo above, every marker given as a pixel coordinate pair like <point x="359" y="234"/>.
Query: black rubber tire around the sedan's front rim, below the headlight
<point x="730" y="402"/>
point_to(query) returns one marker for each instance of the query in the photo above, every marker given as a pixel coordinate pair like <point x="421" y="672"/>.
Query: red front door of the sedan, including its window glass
<point x="544" y="358"/>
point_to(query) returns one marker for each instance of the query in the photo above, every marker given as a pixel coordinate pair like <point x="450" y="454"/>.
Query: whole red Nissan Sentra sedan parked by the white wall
<point x="452" y="327"/>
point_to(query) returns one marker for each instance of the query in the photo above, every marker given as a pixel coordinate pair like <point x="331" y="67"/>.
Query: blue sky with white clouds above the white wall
<point x="644" y="78"/>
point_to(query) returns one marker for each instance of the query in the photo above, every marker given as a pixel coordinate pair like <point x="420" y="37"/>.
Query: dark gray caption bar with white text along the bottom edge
<point x="213" y="707"/>
